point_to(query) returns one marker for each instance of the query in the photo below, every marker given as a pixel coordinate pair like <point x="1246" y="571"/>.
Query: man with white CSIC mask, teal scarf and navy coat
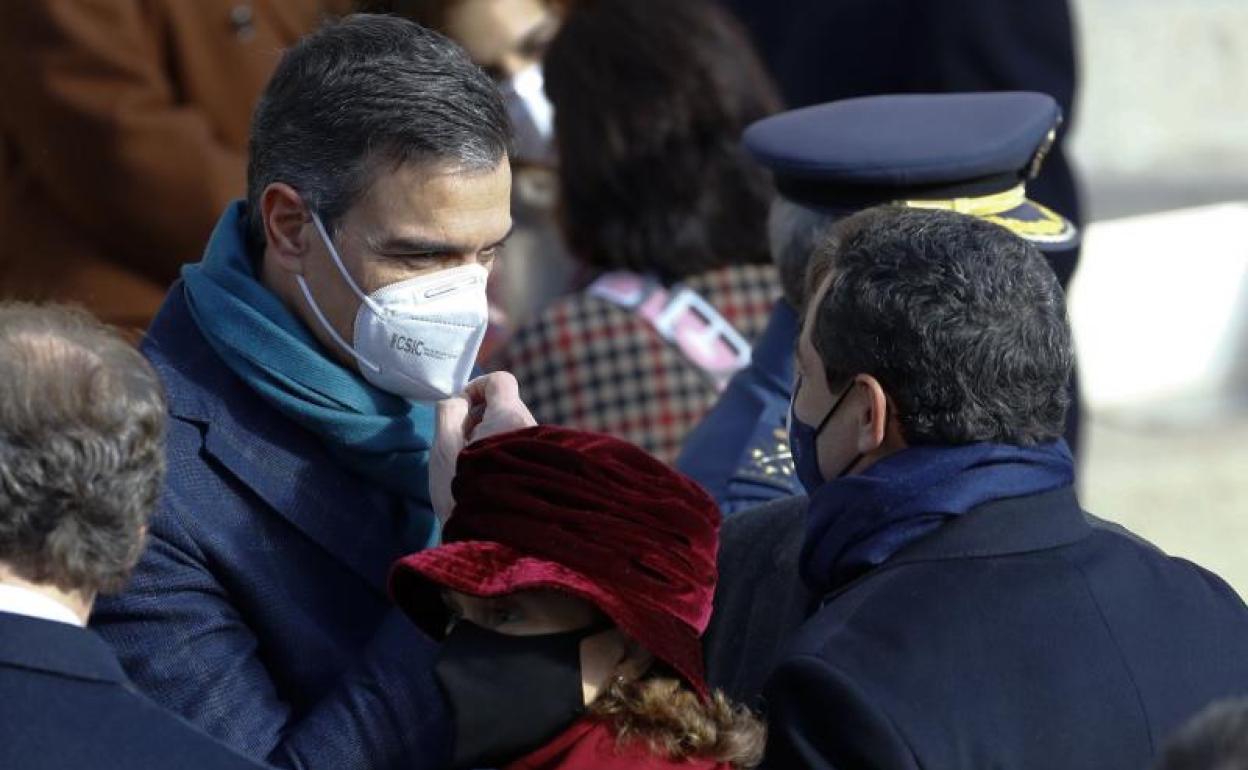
<point x="301" y="358"/>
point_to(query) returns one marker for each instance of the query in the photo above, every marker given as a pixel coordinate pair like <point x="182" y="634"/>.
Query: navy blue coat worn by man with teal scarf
<point x="259" y="611"/>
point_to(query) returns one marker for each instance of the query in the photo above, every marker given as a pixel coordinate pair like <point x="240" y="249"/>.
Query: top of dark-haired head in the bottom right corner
<point x="1215" y="739"/>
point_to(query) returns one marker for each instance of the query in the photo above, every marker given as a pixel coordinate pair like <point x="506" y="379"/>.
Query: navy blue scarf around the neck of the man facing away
<point x="858" y="522"/>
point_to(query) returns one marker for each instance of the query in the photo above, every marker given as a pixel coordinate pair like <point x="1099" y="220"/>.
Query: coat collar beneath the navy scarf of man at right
<point x="1005" y="527"/>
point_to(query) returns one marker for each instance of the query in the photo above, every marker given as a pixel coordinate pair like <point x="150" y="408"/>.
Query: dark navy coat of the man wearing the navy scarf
<point x="1021" y="636"/>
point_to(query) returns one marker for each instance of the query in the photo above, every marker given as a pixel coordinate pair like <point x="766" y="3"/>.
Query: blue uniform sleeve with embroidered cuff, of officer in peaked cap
<point x="739" y="451"/>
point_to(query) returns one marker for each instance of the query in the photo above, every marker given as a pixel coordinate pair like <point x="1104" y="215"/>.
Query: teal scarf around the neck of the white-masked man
<point x="383" y="437"/>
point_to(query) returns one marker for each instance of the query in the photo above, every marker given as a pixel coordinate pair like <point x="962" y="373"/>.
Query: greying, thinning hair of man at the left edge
<point x="82" y="449"/>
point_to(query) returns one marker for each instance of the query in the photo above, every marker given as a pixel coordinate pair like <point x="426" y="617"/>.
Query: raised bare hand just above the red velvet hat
<point x="491" y="405"/>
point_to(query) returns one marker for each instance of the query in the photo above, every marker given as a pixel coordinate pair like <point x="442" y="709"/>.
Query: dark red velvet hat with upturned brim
<point x="581" y="514"/>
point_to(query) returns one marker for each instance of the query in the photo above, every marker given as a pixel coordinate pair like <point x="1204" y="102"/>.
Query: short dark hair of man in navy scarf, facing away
<point x="963" y="323"/>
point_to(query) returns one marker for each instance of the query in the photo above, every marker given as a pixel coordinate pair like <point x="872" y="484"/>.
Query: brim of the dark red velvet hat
<point x="481" y="568"/>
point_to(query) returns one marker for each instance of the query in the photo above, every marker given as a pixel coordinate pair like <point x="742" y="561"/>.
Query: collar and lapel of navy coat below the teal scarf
<point x="281" y="462"/>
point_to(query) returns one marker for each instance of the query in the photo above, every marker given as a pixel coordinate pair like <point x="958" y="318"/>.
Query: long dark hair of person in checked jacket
<point x="651" y="99"/>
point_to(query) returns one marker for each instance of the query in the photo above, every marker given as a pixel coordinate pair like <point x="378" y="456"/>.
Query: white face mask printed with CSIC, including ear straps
<point x="417" y="339"/>
